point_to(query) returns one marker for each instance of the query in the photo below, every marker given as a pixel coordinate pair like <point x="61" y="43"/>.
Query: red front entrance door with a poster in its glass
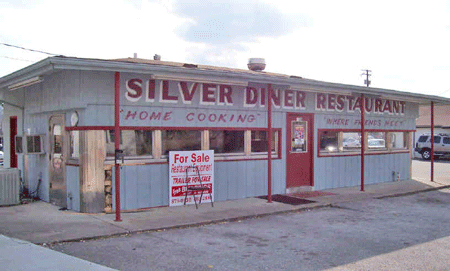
<point x="299" y="157"/>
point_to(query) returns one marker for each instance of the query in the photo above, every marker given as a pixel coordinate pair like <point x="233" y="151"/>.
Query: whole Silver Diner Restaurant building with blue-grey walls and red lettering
<point x="66" y="119"/>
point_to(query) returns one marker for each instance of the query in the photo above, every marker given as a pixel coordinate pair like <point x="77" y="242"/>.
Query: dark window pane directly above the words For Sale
<point x="180" y="140"/>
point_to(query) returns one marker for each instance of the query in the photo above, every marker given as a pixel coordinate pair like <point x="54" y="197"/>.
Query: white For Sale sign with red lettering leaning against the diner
<point x="190" y="161"/>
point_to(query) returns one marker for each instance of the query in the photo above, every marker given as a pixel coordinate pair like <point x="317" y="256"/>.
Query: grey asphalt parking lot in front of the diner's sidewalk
<point x="346" y="236"/>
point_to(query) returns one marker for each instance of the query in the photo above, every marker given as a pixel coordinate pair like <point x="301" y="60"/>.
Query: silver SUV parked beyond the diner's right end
<point x="441" y="146"/>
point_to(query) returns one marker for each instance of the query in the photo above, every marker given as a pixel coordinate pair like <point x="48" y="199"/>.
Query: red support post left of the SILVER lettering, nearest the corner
<point x="117" y="141"/>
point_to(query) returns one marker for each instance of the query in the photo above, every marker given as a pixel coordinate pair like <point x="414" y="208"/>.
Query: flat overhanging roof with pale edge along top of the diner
<point x="199" y="73"/>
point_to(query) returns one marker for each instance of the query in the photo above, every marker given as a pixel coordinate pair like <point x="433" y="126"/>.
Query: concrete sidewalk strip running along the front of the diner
<point x="43" y="223"/>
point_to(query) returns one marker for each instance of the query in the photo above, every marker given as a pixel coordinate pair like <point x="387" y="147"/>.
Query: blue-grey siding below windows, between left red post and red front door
<point x="148" y="185"/>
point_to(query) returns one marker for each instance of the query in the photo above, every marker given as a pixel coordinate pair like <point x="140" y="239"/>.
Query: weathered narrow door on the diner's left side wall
<point x="57" y="173"/>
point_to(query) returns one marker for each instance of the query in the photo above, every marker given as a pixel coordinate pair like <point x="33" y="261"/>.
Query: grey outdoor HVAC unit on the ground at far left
<point x="9" y="186"/>
